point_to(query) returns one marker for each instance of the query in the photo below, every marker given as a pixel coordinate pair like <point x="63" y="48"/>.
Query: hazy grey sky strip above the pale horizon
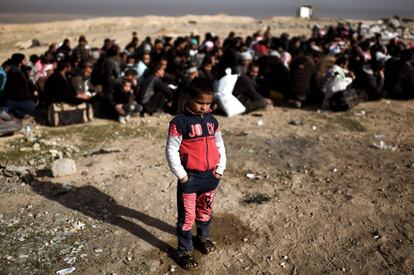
<point x="370" y="9"/>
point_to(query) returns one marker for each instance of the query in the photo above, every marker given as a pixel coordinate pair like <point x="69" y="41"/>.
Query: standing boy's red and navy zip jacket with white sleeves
<point x="195" y="143"/>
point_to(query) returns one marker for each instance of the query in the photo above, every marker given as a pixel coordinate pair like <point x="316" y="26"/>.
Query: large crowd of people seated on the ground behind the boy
<point x="146" y="77"/>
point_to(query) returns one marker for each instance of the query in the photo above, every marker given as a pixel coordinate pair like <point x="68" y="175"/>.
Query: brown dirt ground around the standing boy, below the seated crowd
<point x="304" y="192"/>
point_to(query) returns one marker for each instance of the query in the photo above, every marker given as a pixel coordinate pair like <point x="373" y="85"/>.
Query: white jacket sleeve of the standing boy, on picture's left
<point x="172" y="151"/>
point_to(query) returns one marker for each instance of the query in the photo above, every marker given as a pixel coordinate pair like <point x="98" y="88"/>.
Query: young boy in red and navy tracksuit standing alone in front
<point x="196" y="155"/>
